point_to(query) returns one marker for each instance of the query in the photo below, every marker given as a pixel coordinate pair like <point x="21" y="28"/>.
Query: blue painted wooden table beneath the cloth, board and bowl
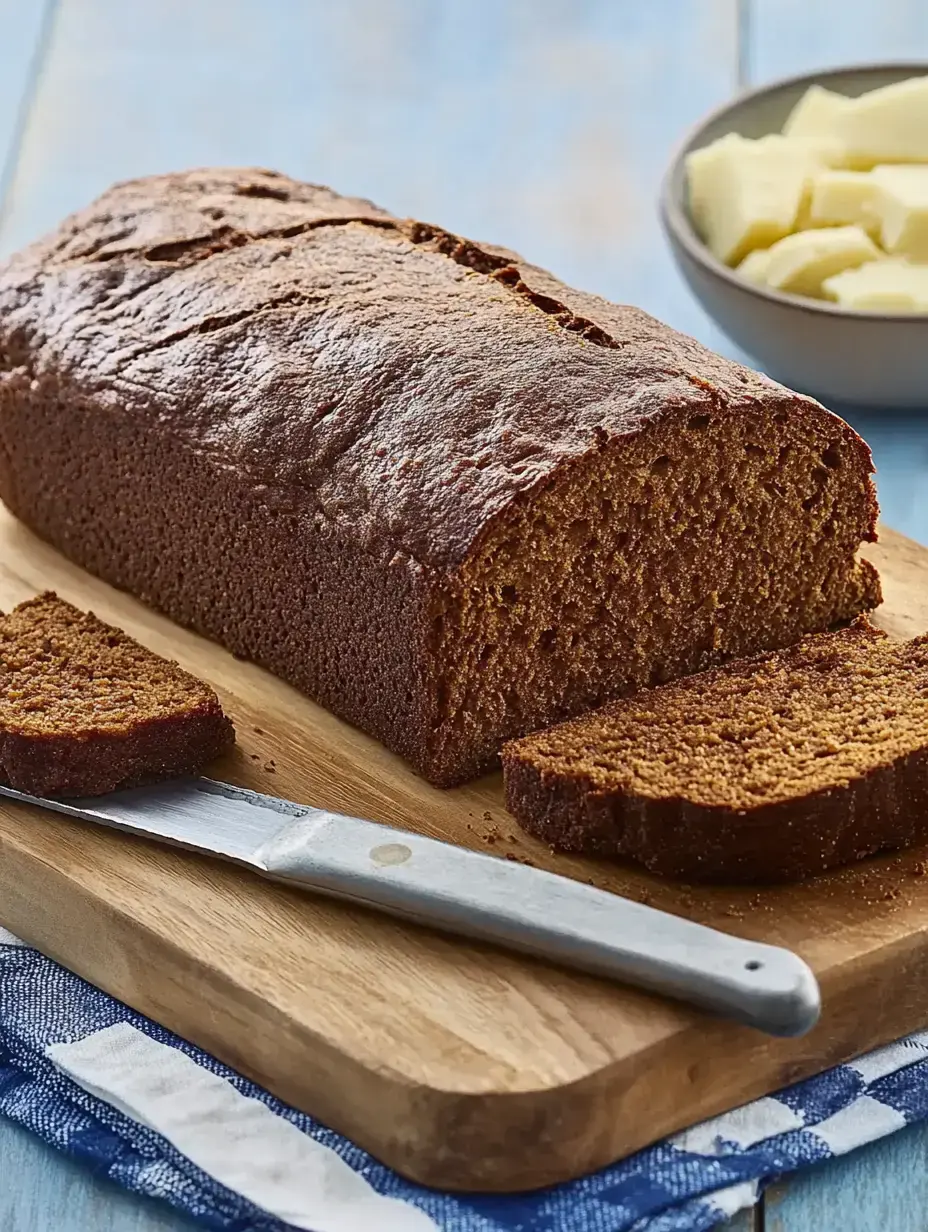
<point x="534" y="124"/>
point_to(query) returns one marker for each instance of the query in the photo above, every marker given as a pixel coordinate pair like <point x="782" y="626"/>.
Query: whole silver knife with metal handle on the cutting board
<point x="468" y="893"/>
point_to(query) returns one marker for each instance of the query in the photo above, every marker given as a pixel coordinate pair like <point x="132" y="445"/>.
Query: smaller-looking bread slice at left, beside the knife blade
<point x="84" y="709"/>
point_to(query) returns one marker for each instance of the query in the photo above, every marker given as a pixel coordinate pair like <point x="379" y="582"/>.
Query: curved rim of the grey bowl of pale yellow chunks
<point x="677" y="222"/>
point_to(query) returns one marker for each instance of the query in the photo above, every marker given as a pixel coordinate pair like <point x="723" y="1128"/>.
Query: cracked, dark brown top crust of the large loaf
<point x="380" y="371"/>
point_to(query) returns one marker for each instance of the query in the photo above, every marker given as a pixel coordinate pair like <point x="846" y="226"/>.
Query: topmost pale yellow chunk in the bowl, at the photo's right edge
<point x="885" y="126"/>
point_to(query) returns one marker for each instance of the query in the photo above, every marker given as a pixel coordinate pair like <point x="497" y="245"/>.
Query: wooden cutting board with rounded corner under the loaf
<point x="457" y="1064"/>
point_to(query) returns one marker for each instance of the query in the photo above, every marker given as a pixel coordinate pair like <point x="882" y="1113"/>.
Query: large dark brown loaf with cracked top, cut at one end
<point x="450" y="498"/>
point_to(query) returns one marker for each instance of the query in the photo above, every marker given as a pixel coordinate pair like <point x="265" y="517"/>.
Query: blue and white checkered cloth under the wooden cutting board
<point x="161" y="1118"/>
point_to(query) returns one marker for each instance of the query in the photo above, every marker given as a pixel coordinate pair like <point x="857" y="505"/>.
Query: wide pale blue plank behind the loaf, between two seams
<point x="532" y="124"/>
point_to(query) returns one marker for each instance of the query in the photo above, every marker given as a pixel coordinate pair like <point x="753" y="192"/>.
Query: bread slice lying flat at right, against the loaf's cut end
<point x="770" y="769"/>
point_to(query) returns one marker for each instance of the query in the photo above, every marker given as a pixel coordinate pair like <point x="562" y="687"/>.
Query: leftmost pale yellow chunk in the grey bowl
<point x="754" y="194"/>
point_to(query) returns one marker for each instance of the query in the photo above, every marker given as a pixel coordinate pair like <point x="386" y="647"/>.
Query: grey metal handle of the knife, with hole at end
<point x="548" y="916"/>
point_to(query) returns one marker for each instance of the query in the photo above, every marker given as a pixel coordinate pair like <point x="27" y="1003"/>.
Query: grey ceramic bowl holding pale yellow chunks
<point x="836" y="354"/>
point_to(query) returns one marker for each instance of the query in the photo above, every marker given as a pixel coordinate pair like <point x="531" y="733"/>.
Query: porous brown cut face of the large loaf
<point x="710" y="535"/>
